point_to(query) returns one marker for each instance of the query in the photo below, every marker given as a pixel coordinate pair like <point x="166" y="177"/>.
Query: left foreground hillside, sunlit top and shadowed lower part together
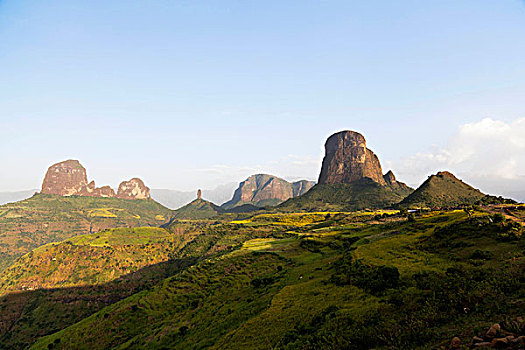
<point x="66" y="282"/>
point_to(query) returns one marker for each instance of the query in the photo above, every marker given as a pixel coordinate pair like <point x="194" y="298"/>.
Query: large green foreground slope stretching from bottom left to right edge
<point x="326" y="280"/>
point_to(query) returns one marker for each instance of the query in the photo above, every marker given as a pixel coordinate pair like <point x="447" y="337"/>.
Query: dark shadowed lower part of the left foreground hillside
<point x="28" y="315"/>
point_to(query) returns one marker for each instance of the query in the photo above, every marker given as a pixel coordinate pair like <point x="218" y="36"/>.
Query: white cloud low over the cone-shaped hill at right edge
<point x="487" y="152"/>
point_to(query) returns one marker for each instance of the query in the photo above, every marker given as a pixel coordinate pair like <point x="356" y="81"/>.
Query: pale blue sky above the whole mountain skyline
<point x="194" y="94"/>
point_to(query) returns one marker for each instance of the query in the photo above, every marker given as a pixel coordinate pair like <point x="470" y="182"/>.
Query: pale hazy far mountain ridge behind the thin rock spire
<point x="175" y="199"/>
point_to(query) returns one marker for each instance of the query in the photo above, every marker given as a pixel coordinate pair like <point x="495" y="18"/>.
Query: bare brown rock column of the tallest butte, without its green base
<point x="347" y="159"/>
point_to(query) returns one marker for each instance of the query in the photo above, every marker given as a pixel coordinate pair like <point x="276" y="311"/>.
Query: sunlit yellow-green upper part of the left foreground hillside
<point x="90" y="259"/>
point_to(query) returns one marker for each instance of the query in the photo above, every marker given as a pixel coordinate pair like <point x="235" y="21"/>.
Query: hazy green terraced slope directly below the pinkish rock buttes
<point x="42" y="219"/>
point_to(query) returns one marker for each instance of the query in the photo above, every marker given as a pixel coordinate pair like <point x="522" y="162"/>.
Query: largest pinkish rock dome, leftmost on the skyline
<point x="65" y="178"/>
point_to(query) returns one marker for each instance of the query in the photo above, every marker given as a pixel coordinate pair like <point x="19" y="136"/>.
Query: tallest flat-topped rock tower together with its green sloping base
<point x="351" y="178"/>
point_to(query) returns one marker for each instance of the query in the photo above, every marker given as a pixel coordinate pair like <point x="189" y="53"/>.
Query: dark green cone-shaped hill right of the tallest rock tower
<point x="442" y="190"/>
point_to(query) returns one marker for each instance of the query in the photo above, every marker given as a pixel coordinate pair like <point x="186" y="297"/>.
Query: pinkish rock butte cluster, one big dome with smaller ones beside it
<point x="69" y="178"/>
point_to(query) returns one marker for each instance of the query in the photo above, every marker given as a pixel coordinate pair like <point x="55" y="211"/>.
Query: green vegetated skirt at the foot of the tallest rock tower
<point x="357" y="195"/>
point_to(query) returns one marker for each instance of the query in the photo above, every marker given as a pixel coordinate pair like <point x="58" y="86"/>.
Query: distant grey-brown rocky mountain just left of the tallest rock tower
<point x="263" y="190"/>
